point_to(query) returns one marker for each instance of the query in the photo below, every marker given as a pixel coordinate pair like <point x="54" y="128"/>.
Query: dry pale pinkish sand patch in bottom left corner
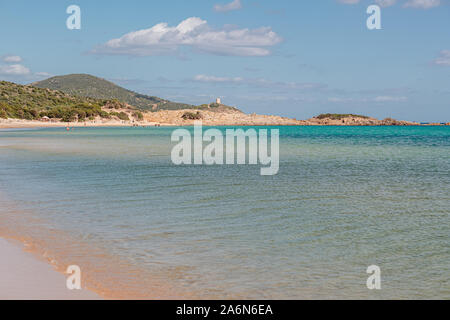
<point x="24" y="277"/>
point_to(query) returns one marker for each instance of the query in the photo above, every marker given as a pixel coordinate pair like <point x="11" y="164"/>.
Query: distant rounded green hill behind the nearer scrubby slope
<point x="84" y="85"/>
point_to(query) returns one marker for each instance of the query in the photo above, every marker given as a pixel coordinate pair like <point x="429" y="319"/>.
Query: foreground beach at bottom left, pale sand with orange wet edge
<point x="36" y="268"/>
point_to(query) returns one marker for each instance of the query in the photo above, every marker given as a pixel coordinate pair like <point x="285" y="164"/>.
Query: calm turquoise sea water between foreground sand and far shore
<point x="345" y="198"/>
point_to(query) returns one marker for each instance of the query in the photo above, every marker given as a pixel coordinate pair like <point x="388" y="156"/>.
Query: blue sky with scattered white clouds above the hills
<point x="290" y="58"/>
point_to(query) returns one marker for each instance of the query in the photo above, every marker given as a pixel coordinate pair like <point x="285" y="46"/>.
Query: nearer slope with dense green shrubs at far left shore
<point x="32" y="103"/>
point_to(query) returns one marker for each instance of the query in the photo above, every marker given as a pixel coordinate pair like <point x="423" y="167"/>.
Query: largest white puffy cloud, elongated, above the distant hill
<point x="194" y="33"/>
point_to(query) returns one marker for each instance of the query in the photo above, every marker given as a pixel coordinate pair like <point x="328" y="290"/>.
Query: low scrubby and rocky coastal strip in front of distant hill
<point x="26" y="102"/>
